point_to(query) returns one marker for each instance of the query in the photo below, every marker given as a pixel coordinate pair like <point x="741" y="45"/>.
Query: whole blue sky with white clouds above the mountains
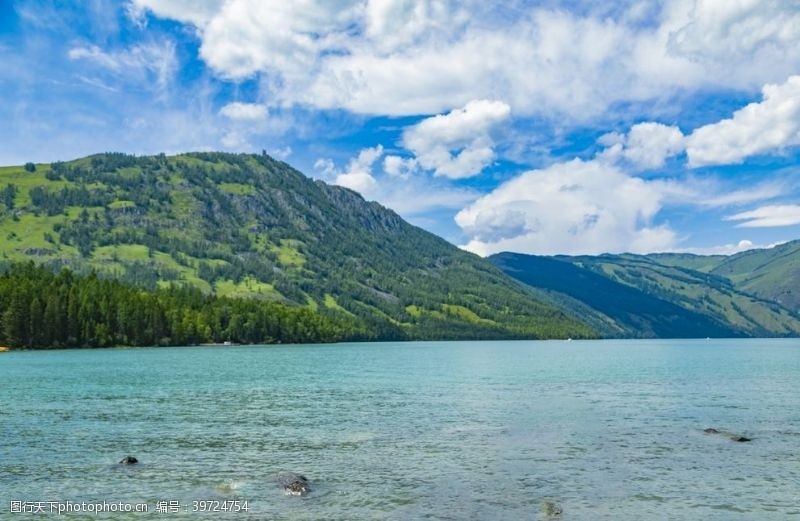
<point x="547" y="127"/>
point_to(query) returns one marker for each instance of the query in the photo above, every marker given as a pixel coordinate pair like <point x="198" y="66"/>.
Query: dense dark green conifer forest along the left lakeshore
<point x="42" y="309"/>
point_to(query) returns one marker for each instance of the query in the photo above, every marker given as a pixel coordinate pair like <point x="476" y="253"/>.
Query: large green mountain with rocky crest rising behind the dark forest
<point x="236" y="225"/>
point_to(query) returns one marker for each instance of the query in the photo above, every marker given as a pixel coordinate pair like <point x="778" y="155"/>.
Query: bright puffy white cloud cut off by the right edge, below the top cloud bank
<point x="768" y="125"/>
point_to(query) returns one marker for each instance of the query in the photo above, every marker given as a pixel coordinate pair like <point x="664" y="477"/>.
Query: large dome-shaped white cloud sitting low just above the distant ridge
<point x="572" y="207"/>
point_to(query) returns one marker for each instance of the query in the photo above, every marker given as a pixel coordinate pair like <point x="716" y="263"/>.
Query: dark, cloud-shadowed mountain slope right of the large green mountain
<point x="654" y="295"/>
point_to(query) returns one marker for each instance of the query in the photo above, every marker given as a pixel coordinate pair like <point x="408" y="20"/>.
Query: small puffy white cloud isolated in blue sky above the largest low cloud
<point x="458" y="144"/>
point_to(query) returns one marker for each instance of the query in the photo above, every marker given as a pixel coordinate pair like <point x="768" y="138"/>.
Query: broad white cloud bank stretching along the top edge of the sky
<point x="366" y="56"/>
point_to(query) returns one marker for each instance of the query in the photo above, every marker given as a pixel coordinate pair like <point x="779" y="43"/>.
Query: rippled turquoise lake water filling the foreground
<point x="449" y="430"/>
